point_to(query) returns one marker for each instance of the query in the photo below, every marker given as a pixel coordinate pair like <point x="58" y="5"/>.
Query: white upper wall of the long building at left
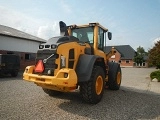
<point x="17" y="44"/>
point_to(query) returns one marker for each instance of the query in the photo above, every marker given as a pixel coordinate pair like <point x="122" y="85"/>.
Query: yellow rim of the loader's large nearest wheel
<point x="99" y="85"/>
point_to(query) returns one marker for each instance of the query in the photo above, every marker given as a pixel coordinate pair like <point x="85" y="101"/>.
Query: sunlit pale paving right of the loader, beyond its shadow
<point x="138" y="79"/>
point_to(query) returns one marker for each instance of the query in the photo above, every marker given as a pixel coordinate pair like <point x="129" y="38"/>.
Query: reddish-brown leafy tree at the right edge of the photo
<point x="154" y="55"/>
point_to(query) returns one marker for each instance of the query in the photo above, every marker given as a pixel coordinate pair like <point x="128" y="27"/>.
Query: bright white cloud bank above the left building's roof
<point x="40" y="28"/>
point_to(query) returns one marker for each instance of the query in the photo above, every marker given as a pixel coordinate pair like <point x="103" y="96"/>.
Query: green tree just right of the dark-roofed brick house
<point x="139" y="57"/>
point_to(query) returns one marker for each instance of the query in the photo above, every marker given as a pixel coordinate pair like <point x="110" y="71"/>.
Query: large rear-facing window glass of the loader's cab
<point x="84" y="34"/>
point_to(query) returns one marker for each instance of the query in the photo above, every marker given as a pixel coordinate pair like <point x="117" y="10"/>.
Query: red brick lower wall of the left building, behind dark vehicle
<point x="23" y="62"/>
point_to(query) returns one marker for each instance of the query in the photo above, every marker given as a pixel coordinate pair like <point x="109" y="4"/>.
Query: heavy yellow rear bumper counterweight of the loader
<point x="57" y="82"/>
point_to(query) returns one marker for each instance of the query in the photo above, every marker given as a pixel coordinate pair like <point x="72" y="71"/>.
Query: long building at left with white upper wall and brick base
<point x="13" y="41"/>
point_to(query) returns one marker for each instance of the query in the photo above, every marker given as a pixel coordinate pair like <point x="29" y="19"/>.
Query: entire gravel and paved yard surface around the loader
<point x="136" y="99"/>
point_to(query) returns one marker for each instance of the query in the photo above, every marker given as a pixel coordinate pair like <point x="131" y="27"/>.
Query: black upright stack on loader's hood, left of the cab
<point x="63" y="29"/>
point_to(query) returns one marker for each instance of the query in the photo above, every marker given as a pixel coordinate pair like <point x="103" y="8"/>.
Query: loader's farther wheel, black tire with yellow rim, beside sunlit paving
<point x="114" y="76"/>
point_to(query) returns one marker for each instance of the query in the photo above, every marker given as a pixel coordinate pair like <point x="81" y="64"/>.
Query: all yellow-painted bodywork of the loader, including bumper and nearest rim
<point x="58" y="82"/>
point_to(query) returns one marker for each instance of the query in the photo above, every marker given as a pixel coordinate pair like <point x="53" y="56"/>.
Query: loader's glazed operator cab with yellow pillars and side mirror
<point x="88" y="34"/>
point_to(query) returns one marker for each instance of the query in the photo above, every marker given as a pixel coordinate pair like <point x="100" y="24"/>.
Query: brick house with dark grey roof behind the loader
<point x="124" y="55"/>
